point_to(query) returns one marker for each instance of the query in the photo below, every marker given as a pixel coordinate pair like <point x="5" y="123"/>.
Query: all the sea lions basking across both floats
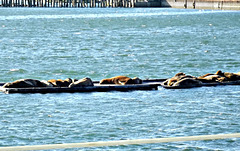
<point x="180" y="80"/>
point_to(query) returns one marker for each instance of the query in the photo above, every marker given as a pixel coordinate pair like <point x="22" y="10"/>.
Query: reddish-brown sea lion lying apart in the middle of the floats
<point x="121" y="80"/>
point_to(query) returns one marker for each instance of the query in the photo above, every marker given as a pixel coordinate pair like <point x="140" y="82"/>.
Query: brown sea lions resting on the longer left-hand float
<point x="71" y="83"/>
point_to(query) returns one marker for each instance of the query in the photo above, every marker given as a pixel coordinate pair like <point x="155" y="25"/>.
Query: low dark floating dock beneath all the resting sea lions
<point x="151" y="84"/>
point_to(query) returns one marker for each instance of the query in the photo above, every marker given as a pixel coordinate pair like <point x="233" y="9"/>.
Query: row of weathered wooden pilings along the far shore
<point x="67" y="3"/>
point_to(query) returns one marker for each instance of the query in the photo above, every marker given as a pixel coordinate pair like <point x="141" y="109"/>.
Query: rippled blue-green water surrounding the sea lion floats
<point x="59" y="43"/>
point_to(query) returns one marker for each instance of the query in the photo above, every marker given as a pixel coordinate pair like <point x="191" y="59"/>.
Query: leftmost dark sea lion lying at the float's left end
<point x="25" y="83"/>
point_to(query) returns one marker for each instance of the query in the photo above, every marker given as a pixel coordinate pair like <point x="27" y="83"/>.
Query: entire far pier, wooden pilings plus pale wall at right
<point x="187" y="4"/>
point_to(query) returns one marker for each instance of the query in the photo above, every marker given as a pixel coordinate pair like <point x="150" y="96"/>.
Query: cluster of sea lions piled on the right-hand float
<point x="187" y="81"/>
